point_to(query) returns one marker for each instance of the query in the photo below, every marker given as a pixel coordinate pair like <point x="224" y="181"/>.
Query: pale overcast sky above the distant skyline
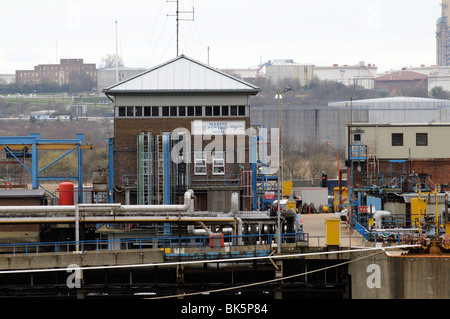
<point x="240" y="33"/>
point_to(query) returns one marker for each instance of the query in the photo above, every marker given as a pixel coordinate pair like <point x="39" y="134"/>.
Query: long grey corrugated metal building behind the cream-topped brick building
<point x="326" y="124"/>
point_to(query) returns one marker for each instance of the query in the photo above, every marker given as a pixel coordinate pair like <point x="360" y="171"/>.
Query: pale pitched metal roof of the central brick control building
<point x="182" y="75"/>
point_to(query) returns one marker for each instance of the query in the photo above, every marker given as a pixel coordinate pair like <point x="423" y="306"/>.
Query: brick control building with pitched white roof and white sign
<point x="181" y="101"/>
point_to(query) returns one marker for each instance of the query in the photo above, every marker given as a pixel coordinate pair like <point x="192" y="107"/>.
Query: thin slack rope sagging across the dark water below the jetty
<point x="267" y="281"/>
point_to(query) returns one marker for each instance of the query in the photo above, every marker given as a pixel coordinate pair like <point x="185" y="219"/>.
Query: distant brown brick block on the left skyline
<point x="59" y="73"/>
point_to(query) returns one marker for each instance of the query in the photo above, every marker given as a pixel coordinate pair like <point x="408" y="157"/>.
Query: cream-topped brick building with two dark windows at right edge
<point x="397" y="152"/>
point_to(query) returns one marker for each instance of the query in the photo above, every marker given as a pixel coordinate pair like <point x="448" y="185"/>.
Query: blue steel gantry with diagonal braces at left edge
<point x="16" y="146"/>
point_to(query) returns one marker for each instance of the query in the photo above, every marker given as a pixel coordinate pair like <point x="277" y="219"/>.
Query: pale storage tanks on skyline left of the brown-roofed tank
<point x="360" y="74"/>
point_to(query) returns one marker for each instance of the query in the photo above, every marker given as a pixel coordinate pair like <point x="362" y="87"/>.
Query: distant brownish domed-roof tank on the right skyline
<point x="405" y="82"/>
